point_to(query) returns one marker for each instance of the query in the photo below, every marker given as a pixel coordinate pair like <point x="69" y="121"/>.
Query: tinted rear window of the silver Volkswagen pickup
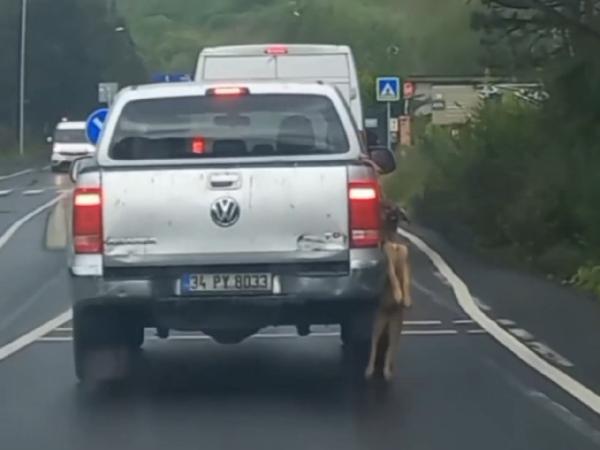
<point x="228" y="126"/>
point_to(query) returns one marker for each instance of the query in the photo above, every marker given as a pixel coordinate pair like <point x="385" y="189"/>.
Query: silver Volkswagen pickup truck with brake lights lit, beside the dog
<point x="224" y="209"/>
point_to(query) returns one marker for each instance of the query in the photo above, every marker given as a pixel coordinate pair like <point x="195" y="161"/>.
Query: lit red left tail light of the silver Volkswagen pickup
<point x="87" y="220"/>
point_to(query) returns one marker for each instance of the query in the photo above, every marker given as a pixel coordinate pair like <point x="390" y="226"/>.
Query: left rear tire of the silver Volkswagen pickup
<point x="104" y="343"/>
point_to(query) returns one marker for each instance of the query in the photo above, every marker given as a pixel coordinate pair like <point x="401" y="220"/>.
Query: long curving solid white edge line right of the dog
<point x="520" y="350"/>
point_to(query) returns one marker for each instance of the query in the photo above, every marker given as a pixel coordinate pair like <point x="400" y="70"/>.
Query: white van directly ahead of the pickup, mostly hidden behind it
<point x="331" y="64"/>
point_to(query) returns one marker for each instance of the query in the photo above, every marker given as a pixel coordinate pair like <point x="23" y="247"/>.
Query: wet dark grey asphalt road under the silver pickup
<point x="456" y="388"/>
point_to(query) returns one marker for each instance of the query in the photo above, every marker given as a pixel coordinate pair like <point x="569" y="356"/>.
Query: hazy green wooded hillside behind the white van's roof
<point x="388" y="36"/>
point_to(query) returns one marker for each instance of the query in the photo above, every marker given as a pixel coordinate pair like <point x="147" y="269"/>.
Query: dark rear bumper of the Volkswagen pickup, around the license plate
<point x="303" y="299"/>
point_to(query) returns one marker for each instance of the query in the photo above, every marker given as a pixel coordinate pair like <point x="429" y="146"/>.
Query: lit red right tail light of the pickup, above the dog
<point x="364" y="197"/>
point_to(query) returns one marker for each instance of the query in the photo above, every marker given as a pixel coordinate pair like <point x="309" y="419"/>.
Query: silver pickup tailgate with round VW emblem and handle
<point x="248" y="215"/>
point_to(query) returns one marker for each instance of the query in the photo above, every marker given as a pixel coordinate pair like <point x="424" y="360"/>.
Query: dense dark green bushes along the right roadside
<point x="517" y="181"/>
